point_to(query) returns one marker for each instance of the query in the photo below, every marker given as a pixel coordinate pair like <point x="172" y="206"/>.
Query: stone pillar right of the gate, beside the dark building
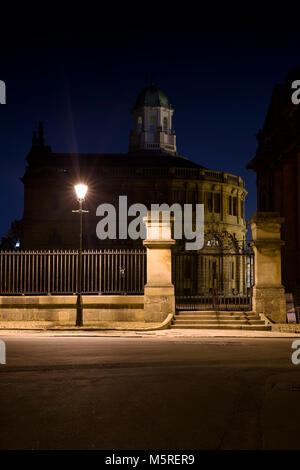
<point x="268" y="292"/>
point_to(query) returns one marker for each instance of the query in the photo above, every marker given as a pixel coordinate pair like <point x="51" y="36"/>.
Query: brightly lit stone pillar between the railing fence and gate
<point x="159" y="295"/>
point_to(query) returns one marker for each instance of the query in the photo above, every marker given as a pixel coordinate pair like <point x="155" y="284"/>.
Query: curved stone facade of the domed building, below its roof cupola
<point x="48" y="221"/>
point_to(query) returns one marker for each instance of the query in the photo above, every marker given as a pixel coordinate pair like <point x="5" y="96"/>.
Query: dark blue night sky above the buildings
<point x="81" y="75"/>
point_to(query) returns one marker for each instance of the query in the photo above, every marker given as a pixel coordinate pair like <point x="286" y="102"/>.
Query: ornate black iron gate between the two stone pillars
<point x="213" y="280"/>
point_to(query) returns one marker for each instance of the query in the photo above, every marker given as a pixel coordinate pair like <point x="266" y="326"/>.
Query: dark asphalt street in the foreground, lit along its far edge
<point x="139" y="392"/>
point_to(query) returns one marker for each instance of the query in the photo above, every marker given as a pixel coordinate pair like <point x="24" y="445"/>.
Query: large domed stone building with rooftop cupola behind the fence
<point x="151" y="172"/>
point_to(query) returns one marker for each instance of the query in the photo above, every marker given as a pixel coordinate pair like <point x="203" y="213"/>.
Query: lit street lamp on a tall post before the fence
<point x="81" y="190"/>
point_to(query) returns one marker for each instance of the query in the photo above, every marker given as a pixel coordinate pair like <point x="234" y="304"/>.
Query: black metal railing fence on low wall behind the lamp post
<point x="56" y="272"/>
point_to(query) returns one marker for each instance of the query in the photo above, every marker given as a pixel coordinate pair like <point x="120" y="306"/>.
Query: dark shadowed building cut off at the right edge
<point x="277" y="165"/>
